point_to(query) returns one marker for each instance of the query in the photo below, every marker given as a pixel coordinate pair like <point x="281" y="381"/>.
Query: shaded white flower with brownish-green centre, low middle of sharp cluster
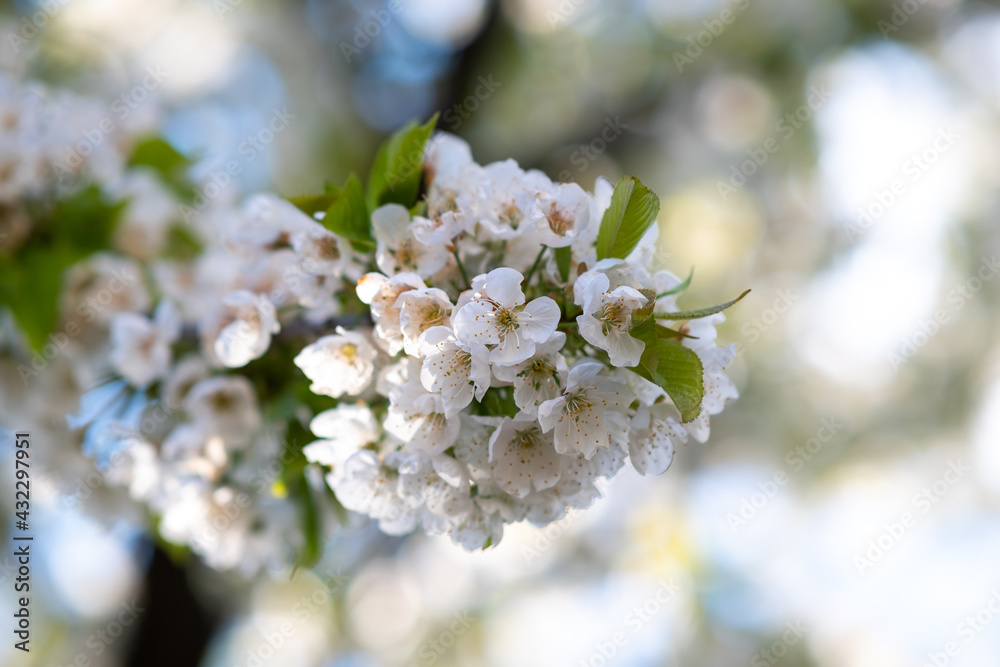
<point x="524" y="457"/>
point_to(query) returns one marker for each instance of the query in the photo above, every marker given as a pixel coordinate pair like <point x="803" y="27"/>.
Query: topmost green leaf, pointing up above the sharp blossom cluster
<point x="396" y="173"/>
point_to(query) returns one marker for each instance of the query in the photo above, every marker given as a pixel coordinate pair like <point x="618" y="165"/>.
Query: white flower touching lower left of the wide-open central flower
<point x="454" y="369"/>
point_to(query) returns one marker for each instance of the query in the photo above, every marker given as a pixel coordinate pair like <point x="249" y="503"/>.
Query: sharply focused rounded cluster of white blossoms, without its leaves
<point x="496" y="386"/>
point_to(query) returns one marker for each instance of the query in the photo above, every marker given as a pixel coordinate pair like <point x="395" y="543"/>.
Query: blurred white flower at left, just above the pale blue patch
<point x="141" y="347"/>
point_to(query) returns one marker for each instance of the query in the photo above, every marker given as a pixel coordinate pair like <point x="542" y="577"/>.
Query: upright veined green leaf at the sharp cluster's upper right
<point x="633" y="209"/>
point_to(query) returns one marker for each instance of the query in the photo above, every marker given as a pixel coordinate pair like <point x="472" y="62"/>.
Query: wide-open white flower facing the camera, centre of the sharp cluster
<point x="495" y="316"/>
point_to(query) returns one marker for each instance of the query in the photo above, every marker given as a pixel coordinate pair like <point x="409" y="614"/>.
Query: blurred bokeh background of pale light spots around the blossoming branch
<point x="837" y="157"/>
